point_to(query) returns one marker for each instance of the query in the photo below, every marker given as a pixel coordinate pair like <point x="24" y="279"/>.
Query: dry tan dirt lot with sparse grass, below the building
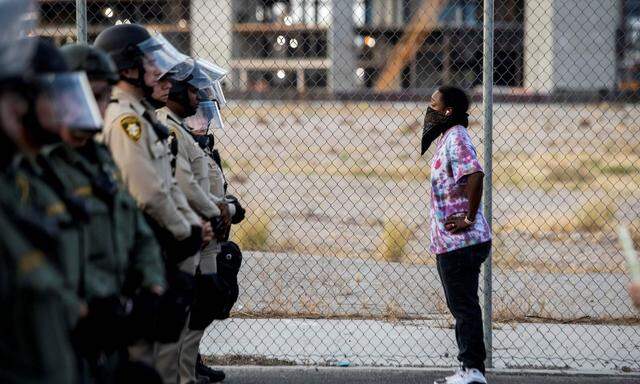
<point x="330" y="174"/>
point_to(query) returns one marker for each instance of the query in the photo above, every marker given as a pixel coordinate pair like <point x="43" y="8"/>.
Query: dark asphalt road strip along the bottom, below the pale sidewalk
<point x="326" y="375"/>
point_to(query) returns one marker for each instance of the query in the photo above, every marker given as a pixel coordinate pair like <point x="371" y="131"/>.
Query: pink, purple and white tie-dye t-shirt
<point x="455" y="158"/>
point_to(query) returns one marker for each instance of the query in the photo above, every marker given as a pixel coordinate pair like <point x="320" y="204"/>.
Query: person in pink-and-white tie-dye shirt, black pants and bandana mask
<point x="460" y="235"/>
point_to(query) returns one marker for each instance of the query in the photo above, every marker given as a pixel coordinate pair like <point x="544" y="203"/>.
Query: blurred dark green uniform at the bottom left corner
<point x="36" y="302"/>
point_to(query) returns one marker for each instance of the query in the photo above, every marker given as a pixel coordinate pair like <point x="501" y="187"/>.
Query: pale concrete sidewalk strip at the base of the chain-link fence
<point x="425" y="343"/>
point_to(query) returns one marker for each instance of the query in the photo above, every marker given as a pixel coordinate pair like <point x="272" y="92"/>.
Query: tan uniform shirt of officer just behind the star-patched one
<point x="191" y="166"/>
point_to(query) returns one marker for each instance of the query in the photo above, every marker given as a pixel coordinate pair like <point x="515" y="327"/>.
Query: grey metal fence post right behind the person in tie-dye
<point x="487" y="101"/>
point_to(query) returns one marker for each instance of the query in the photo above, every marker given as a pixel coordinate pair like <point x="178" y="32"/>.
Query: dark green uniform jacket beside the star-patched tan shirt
<point x="119" y="242"/>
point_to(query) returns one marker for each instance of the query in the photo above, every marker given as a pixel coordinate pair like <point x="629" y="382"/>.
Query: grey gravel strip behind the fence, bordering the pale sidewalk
<point x="293" y="285"/>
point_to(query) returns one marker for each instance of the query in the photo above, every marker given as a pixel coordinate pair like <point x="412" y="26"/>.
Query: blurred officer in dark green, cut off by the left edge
<point x="34" y="344"/>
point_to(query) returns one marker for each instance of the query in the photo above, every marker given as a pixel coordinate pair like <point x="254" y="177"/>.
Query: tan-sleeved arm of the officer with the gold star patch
<point x="133" y="156"/>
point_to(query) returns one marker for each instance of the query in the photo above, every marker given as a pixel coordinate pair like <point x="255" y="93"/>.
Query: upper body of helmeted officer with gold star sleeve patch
<point x="137" y="141"/>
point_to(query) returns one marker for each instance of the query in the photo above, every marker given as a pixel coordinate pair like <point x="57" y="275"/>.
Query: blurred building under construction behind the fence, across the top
<point x="347" y="46"/>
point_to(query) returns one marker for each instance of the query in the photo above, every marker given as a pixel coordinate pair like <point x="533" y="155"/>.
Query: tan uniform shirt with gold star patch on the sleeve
<point x="144" y="161"/>
